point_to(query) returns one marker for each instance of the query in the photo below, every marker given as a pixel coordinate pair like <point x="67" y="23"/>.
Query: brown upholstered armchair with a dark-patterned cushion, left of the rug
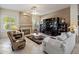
<point x="17" y="40"/>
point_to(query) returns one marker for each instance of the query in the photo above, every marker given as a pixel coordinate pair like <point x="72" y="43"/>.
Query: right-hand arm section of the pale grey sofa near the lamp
<point x="69" y="44"/>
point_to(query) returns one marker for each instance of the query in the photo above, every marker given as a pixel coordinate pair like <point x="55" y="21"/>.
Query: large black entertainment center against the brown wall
<point x="53" y="26"/>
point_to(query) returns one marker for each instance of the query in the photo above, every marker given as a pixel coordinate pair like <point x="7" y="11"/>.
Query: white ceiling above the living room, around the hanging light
<point x="41" y="8"/>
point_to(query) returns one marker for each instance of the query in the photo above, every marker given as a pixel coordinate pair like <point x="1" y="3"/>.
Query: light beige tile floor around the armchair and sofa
<point x="30" y="48"/>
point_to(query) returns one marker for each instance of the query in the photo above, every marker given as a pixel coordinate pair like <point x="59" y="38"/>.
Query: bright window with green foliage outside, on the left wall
<point x="8" y="23"/>
